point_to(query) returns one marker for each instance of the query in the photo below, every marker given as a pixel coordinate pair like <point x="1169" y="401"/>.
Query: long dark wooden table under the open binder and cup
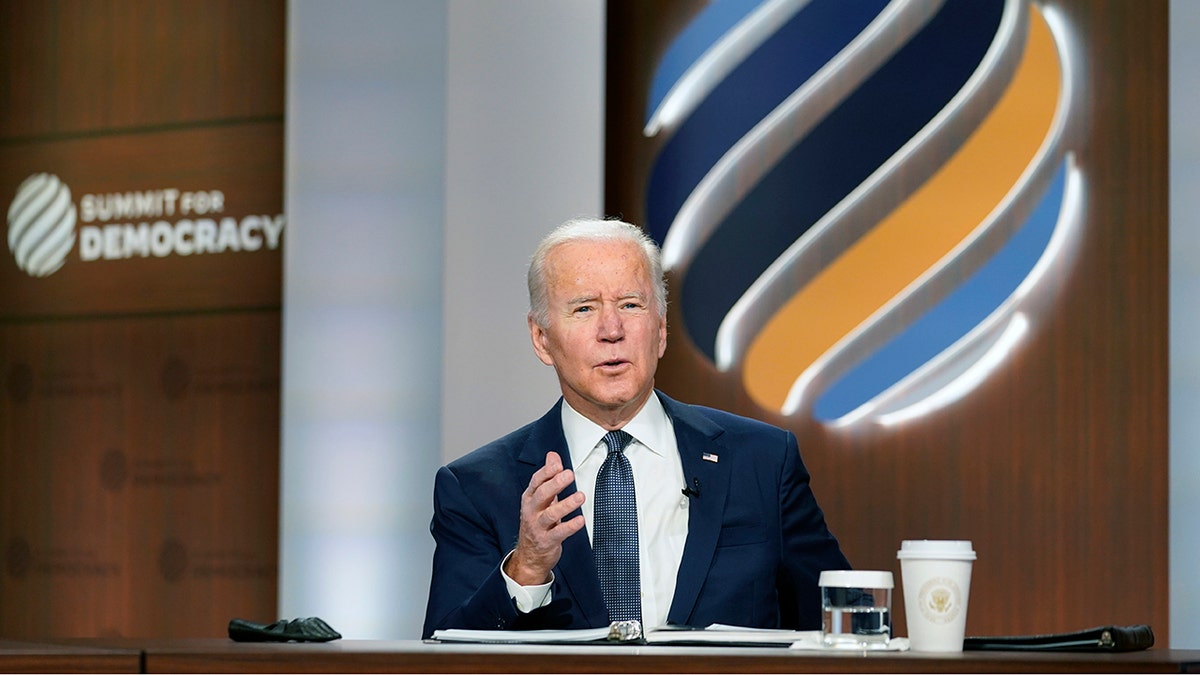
<point x="413" y="656"/>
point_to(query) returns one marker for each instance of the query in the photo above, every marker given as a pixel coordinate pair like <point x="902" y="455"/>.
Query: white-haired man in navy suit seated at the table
<point x="727" y="530"/>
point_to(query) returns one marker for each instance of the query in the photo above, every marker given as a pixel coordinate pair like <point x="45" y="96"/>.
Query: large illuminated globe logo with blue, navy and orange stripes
<point x="854" y="250"/>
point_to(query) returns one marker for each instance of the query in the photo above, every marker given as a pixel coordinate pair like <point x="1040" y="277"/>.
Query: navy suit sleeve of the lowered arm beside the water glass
<point x="808" y="546"/>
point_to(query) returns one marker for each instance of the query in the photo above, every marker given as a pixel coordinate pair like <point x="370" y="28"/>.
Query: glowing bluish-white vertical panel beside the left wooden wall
<point x="363" y="312"/>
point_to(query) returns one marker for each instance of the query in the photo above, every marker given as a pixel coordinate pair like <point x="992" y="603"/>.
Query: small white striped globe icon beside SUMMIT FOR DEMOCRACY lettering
<point x="41" y="225"/>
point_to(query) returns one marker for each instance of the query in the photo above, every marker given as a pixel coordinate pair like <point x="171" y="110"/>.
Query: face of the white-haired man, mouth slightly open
<point x="605" y="336"/>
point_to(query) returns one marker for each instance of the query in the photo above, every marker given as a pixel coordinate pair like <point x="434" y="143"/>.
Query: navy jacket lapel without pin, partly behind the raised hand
<point x="577" y="571"/>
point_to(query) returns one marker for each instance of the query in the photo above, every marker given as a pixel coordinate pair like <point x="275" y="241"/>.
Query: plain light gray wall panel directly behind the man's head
<point x="525" y="153"/>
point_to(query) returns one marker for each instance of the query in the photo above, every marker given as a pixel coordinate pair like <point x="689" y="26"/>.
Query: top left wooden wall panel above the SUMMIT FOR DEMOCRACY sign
<point x="88" y="67"/>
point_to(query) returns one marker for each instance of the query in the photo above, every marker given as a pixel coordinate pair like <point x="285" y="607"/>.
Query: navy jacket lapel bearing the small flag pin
<point x="701" y="455"/>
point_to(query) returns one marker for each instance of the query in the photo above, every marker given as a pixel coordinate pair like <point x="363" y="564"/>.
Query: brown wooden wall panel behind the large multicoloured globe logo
<point x="1057" y="467"/>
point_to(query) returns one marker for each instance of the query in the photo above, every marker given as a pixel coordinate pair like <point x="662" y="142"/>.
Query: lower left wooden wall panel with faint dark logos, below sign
<point x="141" y="463"/>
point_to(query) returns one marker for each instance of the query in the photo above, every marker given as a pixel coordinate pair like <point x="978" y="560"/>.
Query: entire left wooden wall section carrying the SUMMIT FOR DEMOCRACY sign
<point x="140" y="413"/>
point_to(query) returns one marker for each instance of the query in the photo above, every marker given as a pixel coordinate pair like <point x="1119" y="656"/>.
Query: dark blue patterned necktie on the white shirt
<point x="615" y="540"/>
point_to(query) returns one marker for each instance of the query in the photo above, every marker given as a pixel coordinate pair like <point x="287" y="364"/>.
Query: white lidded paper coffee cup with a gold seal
<point x="937" y="580"/>
